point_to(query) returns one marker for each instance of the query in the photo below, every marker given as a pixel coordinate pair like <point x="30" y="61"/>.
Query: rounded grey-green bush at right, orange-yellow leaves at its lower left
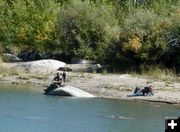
<point x="150" y="29"/>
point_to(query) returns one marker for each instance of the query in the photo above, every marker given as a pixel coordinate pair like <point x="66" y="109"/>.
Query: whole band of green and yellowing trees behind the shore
<point x="124" y="34"/>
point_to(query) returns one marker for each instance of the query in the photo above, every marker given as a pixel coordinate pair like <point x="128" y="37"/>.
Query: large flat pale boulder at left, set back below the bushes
<point x="40" y="66"/>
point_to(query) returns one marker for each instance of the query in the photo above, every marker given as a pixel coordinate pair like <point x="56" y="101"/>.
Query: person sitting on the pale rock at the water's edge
<point x="58" y="81"/>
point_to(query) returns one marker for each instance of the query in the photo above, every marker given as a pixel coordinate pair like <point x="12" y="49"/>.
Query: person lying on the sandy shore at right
<point x="146" y="91"/>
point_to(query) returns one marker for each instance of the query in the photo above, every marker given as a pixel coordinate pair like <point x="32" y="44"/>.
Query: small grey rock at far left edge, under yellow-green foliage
<point x="10" y="58"/>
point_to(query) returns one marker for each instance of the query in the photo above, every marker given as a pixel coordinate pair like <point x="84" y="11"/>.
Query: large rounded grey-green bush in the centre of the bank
<point x="86" y="29"/>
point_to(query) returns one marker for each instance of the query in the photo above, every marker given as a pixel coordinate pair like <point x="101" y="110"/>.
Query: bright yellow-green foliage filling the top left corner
<point x="27" y="22"/>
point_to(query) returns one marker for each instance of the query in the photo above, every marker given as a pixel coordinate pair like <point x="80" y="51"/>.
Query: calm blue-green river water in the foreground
<point x="28" y="110"/>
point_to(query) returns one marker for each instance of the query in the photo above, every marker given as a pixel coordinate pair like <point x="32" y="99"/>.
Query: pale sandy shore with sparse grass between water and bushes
<point x="108" y="85"/>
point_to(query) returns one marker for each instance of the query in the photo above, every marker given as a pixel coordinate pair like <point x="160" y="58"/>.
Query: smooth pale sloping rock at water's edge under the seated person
<point x="70" y="91"/>
